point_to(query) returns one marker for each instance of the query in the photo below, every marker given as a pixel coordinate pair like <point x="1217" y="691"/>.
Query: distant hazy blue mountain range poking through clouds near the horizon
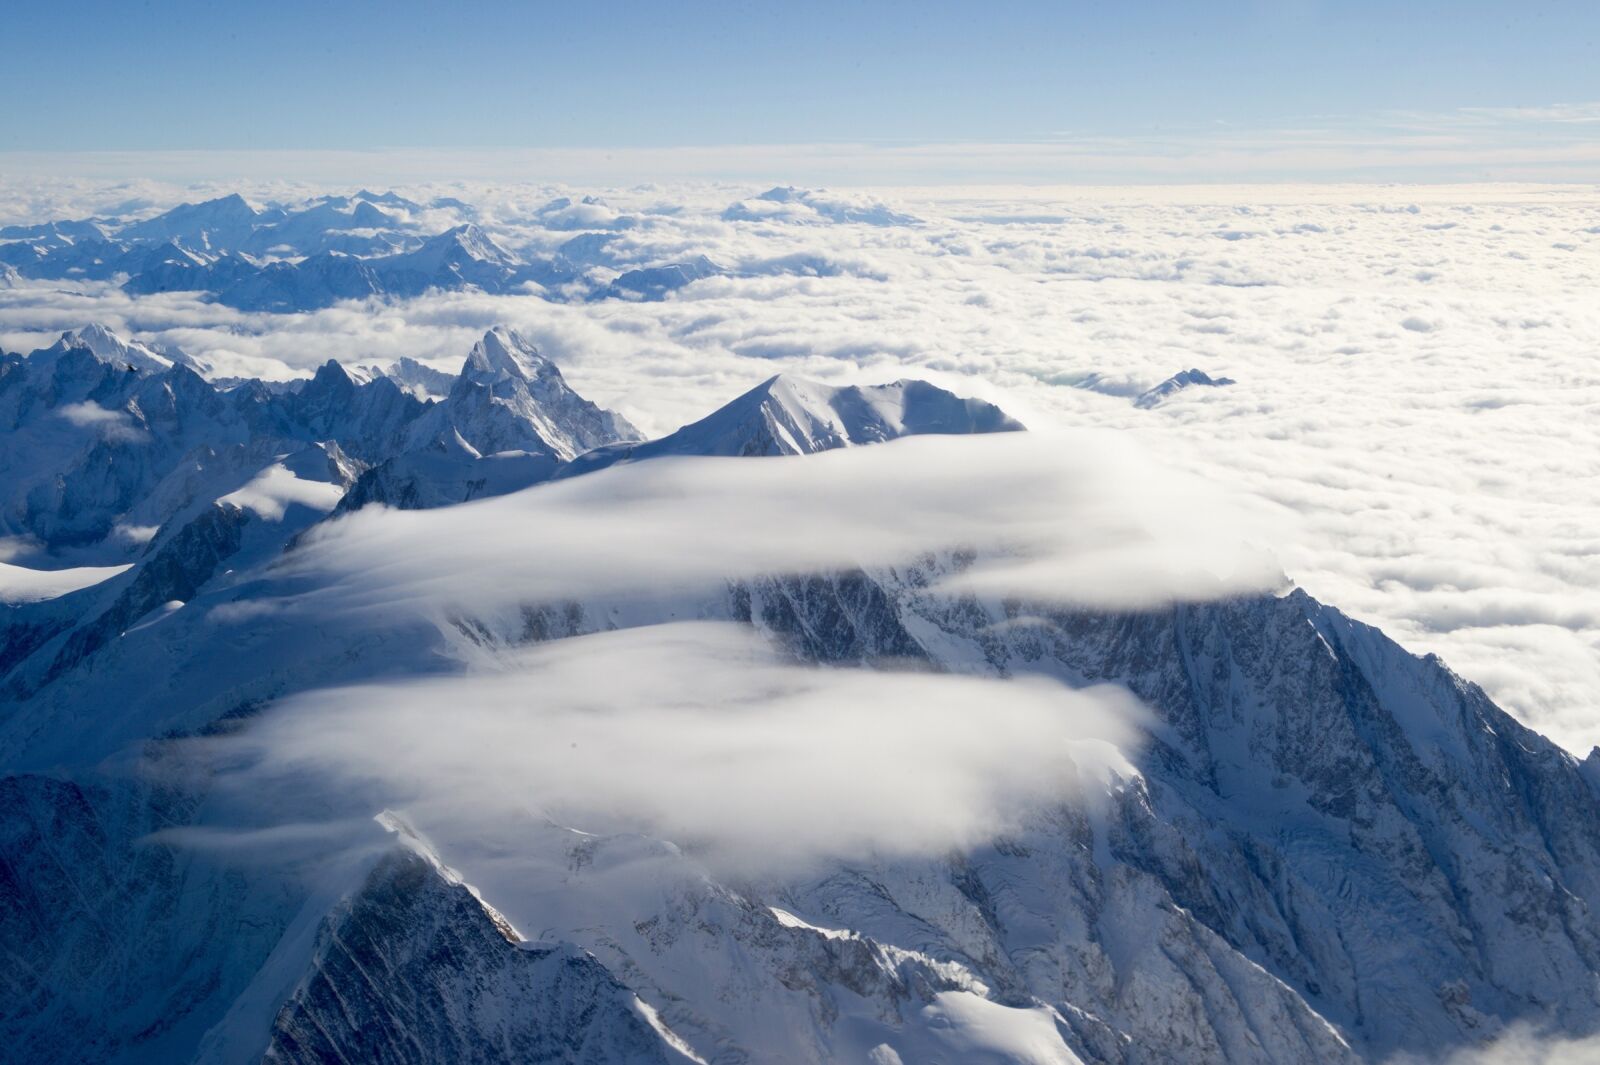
<point x="380" y="245"/>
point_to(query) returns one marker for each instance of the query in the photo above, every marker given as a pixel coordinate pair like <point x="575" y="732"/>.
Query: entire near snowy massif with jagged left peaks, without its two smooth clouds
<point x="1327" y="850"/>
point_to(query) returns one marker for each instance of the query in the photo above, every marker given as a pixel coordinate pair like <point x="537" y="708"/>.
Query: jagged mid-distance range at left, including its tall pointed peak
<point x="110" y="442"/>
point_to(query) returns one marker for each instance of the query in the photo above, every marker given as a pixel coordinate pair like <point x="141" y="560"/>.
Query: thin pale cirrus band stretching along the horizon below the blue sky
<point x="1511" y="143"/>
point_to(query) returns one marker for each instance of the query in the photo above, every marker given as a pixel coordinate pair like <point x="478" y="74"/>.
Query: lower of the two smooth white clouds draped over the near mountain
<point x="695" y="733"/>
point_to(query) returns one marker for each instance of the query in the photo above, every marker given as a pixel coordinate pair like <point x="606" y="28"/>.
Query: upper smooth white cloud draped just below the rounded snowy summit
<point x="1073" y="519"/>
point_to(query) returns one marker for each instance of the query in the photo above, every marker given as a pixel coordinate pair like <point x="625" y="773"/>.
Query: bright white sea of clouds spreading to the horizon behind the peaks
<point x="1418" y="391"/>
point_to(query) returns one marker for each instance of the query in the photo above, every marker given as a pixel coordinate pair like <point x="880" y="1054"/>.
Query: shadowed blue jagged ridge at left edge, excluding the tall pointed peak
<point x="108" y="441"/>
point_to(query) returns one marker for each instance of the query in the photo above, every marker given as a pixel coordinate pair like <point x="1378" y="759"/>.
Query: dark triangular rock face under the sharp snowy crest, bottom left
<point x="415" y="968"/>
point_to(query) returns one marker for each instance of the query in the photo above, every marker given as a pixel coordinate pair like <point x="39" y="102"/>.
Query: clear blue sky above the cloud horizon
<point x="1122" y="78"/>
